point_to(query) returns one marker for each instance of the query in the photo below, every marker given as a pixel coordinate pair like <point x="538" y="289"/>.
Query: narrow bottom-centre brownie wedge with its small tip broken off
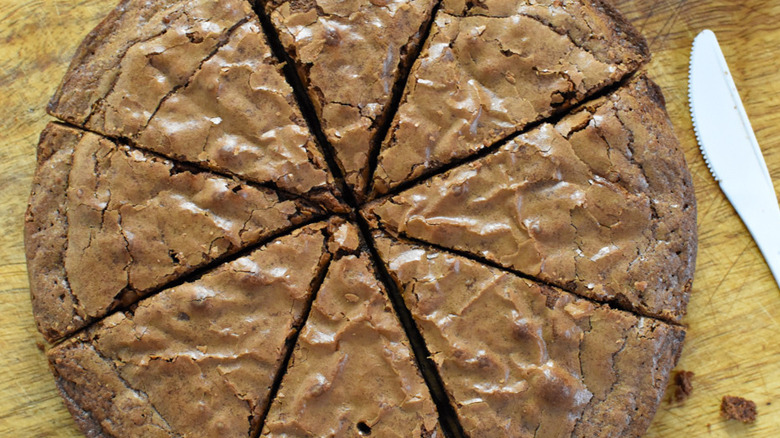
<point x="352" y="372"/>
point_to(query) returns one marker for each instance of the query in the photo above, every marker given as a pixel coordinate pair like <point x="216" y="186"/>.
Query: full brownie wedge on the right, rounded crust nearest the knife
<point x="600" y="204"/>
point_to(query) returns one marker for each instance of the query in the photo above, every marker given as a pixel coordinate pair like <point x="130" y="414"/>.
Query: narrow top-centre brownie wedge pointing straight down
<point x="351" y="55"/>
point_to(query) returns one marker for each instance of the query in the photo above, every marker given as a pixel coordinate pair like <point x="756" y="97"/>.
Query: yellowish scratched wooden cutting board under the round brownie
<point x="733" y="342"/>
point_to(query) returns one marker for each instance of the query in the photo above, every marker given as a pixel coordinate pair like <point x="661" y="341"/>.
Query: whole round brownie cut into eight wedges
<point x="412" y="218"/>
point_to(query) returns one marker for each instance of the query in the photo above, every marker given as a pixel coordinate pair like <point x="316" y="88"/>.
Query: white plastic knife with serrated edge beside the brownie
<point x="730" y="148"/>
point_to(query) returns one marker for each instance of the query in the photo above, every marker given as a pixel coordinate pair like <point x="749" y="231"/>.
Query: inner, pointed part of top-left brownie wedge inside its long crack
<point x="238" y="113"/>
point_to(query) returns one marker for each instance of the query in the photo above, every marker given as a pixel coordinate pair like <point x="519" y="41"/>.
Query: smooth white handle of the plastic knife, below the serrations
<point x="760" y="212"/>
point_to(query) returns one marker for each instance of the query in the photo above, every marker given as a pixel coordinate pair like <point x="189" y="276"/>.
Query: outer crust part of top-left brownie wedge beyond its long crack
<point x="176" y="35"/>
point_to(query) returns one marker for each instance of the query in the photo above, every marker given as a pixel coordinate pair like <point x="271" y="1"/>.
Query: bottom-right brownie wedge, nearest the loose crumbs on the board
<point x="520" y="359"/>
